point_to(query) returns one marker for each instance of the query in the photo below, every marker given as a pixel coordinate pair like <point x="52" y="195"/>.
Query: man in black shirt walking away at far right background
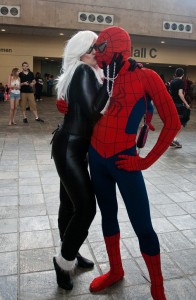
<point x="177" y="93"/>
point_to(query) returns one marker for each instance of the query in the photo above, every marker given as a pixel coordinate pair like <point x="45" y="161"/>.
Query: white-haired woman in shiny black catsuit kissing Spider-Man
<point x="86" y="93"/>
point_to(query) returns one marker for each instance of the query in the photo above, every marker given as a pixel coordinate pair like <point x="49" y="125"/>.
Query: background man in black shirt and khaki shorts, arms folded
<point x="27" y="82"/>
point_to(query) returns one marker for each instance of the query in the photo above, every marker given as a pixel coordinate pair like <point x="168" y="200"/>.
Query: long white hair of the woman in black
<point x="77" y="46"/>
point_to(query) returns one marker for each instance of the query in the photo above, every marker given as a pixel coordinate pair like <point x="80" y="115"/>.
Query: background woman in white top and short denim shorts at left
<point x="14" y="86"/>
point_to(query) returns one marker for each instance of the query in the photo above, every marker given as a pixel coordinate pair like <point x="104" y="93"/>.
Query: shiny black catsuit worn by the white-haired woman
<point x="70" y="145"/>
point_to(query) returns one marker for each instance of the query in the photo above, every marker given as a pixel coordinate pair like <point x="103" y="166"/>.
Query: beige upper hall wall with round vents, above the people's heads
<point x="162" y="32"/>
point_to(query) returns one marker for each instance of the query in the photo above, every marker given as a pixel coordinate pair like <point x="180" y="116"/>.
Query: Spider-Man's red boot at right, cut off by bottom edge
<point x="153" y="264"/>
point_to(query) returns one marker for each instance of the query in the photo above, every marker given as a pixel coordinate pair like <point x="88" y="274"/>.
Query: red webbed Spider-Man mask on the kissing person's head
<point x="111" y="40"/>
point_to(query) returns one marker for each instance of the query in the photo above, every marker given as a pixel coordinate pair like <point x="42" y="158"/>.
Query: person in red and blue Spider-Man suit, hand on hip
<point x="113" y="157"/>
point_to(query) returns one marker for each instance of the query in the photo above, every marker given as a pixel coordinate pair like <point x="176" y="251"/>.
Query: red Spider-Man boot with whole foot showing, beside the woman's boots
<point x="116" y="272"/>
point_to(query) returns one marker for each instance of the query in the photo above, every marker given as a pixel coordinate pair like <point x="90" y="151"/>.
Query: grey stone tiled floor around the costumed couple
<point x="29" y="188"/>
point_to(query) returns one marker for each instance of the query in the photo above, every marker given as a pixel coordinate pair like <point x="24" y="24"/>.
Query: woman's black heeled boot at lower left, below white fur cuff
<point x="63" y="278"/>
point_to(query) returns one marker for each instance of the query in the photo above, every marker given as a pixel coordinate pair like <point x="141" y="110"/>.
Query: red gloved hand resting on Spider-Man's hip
<point x="129" y="163"/>
